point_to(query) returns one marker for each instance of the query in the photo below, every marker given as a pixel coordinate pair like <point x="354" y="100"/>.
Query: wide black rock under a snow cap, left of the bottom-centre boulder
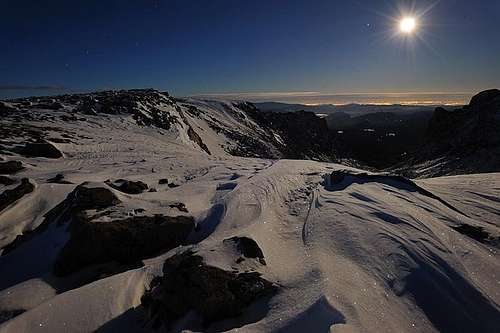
<point x="124" y="241"/>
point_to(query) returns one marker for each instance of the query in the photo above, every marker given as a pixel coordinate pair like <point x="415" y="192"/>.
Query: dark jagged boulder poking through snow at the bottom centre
<point x="190" y="284"/>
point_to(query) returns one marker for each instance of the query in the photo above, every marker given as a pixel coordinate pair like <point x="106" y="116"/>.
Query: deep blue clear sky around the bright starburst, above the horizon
<point x="222" y="46"/>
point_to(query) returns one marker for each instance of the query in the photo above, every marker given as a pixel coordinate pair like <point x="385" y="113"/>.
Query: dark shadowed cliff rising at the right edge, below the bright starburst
<point x="465" y="140"/>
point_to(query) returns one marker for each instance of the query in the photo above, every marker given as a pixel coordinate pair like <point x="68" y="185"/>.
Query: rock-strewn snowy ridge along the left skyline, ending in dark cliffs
<point x="236" y="128"/>
